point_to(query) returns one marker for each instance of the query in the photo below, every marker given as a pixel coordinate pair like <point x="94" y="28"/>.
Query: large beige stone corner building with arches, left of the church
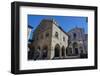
<point x="50" y="40"/>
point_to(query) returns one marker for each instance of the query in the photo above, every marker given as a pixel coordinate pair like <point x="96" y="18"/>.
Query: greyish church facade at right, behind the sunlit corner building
<point x="77" y="42"/>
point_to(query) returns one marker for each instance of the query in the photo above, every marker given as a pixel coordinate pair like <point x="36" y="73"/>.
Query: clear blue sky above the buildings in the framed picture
<point x="66" y="22"/>
